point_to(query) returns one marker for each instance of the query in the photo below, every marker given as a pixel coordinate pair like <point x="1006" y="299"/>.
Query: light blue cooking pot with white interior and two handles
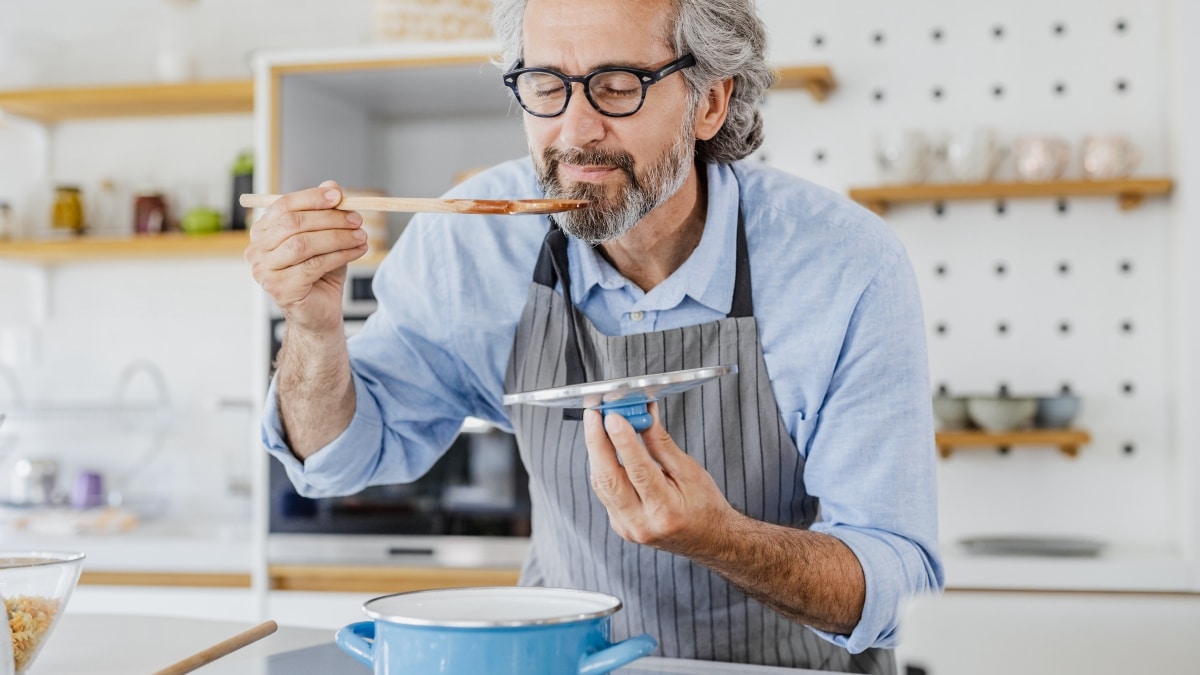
<point x="500" y="631"/>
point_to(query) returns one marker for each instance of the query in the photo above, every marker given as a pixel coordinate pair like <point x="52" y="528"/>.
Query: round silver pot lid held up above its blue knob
<point x="643" y="389"/>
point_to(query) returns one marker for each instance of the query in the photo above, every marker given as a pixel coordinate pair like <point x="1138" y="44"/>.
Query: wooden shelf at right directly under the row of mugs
<point x="1129" y="192"/>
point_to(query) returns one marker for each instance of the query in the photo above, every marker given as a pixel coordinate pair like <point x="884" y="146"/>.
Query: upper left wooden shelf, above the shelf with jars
<point x="50" y="106"/>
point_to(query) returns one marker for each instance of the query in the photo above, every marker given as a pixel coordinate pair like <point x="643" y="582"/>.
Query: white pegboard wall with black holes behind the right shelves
<point x="1036" y="295"/>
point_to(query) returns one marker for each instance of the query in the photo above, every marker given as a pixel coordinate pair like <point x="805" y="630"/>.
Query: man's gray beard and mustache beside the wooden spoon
<point x="609" y="218"/>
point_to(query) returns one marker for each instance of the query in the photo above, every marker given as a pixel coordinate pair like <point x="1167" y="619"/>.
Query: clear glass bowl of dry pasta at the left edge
<point x="35" y="587"/>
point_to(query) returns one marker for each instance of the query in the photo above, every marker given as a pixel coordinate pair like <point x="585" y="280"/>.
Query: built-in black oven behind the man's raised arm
<point x="471" y="510"/>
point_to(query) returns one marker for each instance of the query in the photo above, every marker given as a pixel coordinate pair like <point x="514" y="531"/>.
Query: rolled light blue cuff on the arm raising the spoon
<point x="345" y="465"/>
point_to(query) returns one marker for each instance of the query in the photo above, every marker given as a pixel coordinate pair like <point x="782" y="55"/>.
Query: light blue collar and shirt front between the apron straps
<point x="706" y="277"/>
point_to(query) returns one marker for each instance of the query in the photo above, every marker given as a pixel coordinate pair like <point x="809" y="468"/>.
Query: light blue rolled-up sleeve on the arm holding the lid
<point x="872" y="458"/>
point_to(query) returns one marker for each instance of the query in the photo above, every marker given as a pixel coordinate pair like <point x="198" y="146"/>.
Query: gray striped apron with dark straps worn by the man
<point x="733" y="427"/>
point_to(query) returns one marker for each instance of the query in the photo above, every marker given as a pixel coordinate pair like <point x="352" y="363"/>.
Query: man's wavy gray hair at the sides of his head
<point x="728" y="39"/>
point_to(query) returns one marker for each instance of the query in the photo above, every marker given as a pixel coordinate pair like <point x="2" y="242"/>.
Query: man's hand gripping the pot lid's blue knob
<point x="655" y="493"/>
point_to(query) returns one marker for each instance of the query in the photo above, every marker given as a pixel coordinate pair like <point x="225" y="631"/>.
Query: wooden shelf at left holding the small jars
<point x="85" y="249"/>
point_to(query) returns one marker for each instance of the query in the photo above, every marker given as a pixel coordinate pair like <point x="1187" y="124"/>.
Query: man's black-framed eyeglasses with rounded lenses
<point x="614" y="92"/>
